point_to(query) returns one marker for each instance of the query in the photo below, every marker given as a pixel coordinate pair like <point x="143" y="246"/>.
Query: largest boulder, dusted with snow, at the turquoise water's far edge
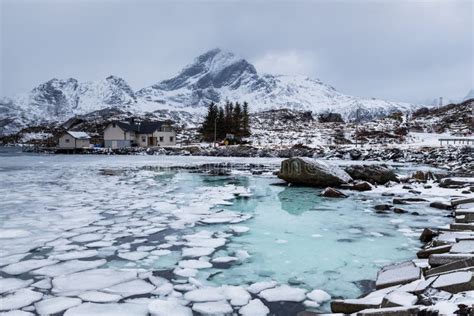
<point x="307" y="171"/>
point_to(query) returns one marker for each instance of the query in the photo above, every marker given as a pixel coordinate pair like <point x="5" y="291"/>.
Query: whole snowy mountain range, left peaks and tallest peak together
<point x="214" y="76"/>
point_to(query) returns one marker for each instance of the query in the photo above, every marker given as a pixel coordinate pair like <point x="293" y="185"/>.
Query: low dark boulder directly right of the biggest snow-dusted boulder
<point x="378" y="174"/>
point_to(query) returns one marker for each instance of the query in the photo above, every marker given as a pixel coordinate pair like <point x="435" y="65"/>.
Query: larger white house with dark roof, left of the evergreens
<point x="141" y="134"/>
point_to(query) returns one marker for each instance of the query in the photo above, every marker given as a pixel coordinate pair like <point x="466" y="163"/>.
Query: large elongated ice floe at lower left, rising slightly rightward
<point x="91" y="280"/>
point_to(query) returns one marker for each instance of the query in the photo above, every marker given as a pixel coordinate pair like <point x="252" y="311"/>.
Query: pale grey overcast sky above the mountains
<point x="397" y="50"/>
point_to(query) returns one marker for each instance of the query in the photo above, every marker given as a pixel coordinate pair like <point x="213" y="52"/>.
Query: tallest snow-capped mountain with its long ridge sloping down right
<point x="218" y="76"/>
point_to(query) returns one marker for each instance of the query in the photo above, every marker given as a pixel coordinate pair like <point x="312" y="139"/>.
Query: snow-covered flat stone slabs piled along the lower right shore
<point x="440" y="281"/>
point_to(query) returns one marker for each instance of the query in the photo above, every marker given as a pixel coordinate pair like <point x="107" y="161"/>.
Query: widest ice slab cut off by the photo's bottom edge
<point x="110" y="309"/>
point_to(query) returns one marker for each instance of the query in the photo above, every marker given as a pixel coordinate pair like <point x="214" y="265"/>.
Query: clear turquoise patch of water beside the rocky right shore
<point x="299" y="237"/>
